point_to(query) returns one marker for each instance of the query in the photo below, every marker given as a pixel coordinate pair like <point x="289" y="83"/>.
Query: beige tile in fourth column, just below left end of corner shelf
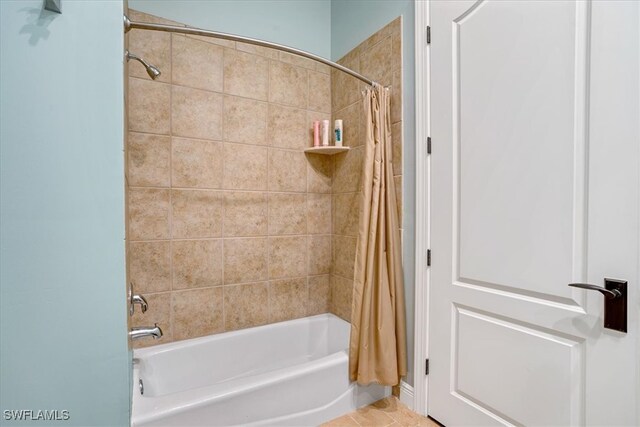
<point x="287" y="170"/>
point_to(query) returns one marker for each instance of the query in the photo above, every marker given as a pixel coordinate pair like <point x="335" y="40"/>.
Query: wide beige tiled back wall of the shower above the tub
<point x="229" y="221"/>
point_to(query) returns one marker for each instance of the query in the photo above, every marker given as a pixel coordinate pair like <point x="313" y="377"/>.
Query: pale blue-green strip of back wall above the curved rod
<point x="304" y="24"/>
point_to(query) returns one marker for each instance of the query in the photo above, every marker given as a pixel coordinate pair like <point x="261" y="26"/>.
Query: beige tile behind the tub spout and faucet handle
<point x="159" y="312"/>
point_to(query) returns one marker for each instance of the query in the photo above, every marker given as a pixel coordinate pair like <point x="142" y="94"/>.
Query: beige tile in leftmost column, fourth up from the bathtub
<point x="148" y="160"/>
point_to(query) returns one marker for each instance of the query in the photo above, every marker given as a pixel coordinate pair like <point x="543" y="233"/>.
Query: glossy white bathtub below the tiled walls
<point x="293" y="373"/>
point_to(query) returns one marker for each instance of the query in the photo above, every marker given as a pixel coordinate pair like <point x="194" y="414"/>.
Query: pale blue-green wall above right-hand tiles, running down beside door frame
<point x="352" y="22"/>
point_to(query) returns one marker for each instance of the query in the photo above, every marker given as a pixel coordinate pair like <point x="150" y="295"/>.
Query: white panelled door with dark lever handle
<point x="535" y="126"/>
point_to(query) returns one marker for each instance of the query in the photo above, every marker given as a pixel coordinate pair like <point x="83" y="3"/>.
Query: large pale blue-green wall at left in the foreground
<point x="63" y="342"/>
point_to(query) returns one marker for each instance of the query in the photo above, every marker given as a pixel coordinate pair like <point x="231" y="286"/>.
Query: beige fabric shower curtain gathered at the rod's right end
<point x="377" y="351"/>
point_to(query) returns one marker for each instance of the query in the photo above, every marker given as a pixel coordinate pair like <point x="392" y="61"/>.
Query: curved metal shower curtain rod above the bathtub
<point x="129" y="25"/>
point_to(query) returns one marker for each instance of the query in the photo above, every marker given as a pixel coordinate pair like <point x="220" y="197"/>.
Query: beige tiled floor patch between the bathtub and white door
<point x="386" y="412"/>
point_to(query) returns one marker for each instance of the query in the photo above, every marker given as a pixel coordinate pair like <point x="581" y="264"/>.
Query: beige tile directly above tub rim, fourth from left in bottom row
<point x="287" y="299"/>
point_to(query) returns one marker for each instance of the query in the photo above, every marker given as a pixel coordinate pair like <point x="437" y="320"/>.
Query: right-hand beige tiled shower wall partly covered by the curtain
<point x="378" y="58"/>
